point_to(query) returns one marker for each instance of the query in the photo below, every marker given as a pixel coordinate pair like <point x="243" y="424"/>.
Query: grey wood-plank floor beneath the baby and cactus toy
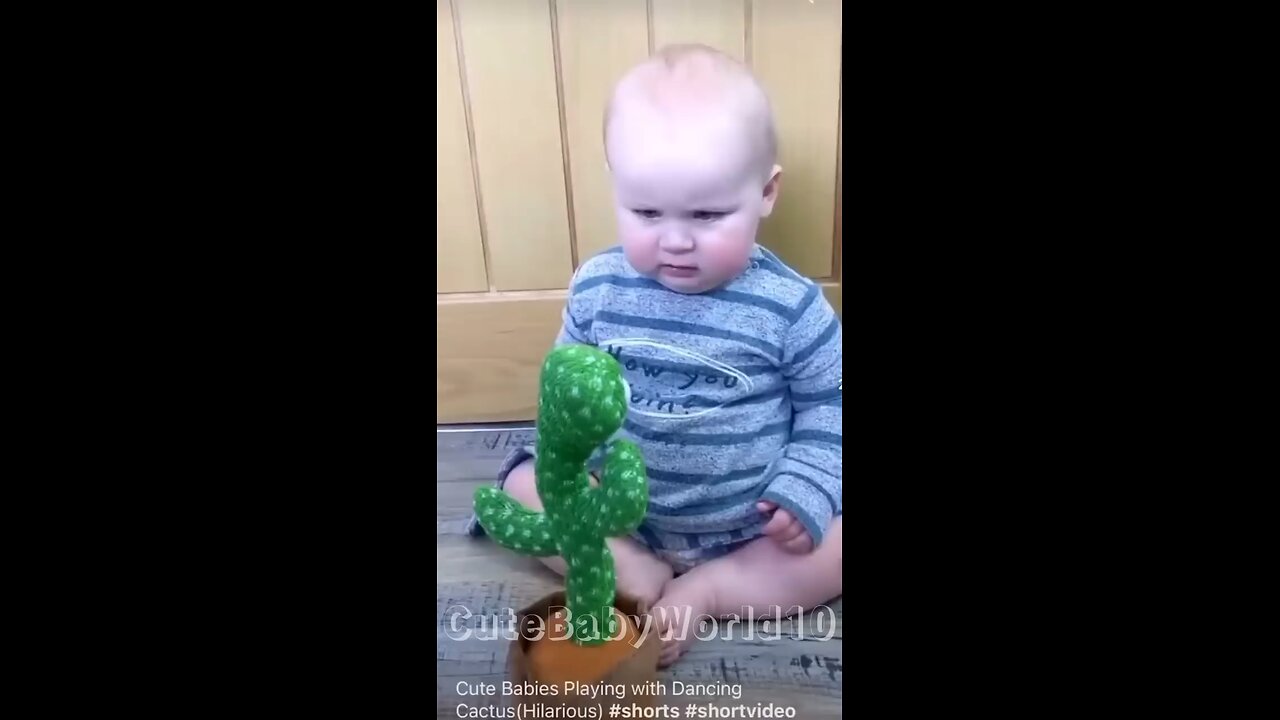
<point x="798" y="663"/>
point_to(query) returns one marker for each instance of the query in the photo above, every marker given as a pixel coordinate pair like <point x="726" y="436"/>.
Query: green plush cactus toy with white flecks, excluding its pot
<point x="583" y="402"/>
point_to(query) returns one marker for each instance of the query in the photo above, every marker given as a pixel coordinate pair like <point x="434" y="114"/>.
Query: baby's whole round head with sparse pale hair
<point x="692" y="148"/>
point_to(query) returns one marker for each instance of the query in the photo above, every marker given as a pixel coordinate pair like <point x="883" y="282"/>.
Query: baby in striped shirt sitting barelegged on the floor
<point x="733" y="359"/>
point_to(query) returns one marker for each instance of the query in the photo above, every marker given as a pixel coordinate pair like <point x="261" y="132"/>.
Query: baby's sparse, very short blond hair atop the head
<point x="694" y="74"/>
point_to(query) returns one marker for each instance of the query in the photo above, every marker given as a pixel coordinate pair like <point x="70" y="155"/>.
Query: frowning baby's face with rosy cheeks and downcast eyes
<point x="689" y="197"/>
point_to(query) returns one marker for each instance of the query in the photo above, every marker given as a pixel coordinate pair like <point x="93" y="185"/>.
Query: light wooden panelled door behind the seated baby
<point x="522" y="189"/>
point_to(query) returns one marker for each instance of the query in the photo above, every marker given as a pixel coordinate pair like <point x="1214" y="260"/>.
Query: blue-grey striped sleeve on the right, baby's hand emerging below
<point x="807" y="480"/>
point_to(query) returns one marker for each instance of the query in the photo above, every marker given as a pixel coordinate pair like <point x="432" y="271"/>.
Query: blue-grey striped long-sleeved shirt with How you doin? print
<point x="735" y="395"/>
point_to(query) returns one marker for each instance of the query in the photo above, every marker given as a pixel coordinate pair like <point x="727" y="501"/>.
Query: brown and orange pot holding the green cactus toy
<point x="552" y="671"/>
